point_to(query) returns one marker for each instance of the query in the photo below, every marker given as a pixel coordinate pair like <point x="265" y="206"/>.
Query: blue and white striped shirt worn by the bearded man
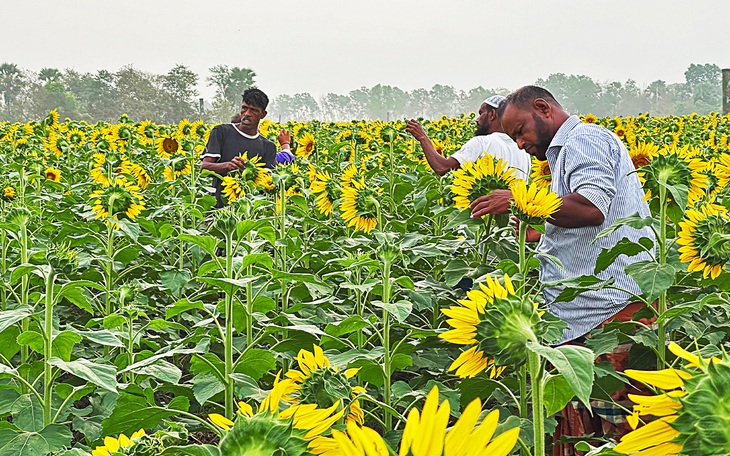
<point x="592" y="161"/>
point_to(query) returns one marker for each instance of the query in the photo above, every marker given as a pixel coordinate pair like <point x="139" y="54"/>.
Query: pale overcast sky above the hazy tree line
<point x="339" y="45"/>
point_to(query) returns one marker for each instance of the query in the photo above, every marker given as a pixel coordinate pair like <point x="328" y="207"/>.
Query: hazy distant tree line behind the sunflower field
<point x="171" y="97"/>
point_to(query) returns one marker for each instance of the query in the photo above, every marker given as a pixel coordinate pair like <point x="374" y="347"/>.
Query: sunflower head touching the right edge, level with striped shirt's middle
<point x="705" y="239"/>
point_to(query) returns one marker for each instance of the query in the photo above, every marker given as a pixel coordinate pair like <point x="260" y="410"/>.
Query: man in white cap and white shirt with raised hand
<point x="488" y="138"/>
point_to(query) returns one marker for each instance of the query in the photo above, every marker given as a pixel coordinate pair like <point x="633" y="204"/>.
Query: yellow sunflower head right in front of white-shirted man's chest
<point x="479" y="178"/>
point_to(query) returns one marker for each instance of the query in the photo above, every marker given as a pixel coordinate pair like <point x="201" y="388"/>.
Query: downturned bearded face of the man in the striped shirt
<point x="528" y="129"/>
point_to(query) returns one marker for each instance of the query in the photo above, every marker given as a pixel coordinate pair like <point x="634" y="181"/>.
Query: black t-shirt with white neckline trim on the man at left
<point x="226" y="141"/>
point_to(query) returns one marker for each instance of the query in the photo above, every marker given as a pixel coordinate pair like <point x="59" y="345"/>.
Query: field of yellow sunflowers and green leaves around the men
<point x="343" y="304"/>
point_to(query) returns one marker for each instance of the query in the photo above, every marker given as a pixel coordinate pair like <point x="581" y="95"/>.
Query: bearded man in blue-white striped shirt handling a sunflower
<point x="593" y="175"/>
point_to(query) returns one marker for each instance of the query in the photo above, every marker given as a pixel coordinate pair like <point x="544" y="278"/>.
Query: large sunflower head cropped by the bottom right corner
<point x="692" y="414"/>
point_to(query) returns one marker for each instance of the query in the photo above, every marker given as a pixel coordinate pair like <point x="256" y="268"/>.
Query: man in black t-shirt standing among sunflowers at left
<point x="228" y="142"/>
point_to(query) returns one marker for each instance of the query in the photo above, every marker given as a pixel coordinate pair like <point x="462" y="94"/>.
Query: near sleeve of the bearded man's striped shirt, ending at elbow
<point x="590" y="169"/>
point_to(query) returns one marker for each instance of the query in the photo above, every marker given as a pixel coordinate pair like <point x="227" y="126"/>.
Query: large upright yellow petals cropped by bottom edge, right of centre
<point x="425" y="432"/>
